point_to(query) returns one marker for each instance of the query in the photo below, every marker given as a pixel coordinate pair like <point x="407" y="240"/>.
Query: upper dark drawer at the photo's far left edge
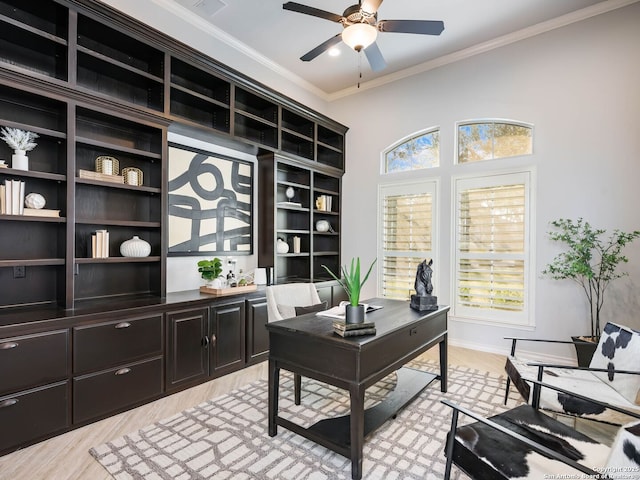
<point x="33" y="360"/>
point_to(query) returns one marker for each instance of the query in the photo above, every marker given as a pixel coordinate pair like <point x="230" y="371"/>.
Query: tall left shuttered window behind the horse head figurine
<point x="407" y="214"/>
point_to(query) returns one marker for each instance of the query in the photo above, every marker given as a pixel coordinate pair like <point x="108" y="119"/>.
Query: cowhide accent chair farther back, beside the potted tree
<point x="613" y="377"/>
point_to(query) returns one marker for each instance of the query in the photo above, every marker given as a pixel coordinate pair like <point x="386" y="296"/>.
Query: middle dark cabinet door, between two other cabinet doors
<point x="227" y="337"/>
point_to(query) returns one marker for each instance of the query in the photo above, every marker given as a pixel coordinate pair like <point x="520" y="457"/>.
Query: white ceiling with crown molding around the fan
<point x="279" y="37"/>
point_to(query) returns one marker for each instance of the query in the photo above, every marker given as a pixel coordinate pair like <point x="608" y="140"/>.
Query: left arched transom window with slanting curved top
<point x="420" y="151"/>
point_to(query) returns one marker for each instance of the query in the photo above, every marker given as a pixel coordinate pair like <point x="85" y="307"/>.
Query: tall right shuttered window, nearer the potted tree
<point x="492" y="231"/>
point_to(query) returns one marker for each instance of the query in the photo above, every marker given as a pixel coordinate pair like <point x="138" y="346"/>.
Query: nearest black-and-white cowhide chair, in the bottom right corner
<point x="526" y="443"/>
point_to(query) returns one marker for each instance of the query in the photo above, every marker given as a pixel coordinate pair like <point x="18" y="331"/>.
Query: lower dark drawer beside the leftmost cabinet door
<point x="101" y="393"/>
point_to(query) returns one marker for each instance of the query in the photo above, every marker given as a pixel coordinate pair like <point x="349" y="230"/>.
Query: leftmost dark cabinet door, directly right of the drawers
<point x="187" y="359"/>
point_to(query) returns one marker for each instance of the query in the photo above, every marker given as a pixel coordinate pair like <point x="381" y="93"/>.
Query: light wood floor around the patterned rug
<point x="67" y="456"/>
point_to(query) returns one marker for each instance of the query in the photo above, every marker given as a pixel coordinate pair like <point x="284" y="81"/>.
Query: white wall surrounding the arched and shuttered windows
<point x="580" y="87"/>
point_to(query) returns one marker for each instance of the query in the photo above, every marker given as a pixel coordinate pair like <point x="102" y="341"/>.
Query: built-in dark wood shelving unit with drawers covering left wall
<point x="93" y="82"/>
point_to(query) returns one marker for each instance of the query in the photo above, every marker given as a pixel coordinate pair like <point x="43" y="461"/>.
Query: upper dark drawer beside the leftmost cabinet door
<point x="96" y="347"/>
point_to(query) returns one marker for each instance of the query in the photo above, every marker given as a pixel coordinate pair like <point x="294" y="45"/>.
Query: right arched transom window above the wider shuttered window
<point x="487" y="140"/>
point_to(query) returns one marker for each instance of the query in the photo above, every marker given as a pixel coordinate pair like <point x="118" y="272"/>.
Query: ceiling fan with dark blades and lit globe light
<point x="360" y="29"/>
